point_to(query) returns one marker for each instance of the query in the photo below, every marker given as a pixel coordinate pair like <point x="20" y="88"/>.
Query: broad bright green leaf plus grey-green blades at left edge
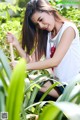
<point x="11" y="96"/>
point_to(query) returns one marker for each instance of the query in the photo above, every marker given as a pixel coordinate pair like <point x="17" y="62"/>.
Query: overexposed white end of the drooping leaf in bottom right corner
<point x="71" y="110"/>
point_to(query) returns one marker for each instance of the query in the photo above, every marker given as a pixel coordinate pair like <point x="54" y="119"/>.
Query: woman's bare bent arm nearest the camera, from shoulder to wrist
<point x="60" y="52"/>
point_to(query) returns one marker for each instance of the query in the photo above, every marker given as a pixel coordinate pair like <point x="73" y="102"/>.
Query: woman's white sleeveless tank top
<point x="69" y="67"/>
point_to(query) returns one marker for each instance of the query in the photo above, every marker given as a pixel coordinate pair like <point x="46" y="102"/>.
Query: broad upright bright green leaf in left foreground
<point x="16" y="91"/>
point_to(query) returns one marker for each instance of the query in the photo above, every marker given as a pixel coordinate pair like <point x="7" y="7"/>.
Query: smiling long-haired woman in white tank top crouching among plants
<point x="47" y="33"/>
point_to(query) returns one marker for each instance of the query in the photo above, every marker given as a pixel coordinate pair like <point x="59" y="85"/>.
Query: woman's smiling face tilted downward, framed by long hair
<point x="43" y="20"/>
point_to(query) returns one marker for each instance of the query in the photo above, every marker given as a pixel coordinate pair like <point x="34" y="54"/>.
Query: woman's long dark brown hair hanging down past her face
<point x="33" y="37"/>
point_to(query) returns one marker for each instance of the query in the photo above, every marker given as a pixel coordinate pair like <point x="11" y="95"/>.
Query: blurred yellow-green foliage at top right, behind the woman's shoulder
<point x="68" y="12"/>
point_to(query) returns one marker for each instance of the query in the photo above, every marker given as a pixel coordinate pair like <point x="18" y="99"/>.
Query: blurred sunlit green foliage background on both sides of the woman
<point x="12" y="14"/>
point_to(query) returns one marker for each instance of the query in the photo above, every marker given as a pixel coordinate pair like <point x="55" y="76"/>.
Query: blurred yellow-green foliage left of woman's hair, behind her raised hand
<point x="11" y="18"/>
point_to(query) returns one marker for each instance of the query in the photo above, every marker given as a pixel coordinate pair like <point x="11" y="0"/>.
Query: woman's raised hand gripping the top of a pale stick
<point x="12" y="39"/>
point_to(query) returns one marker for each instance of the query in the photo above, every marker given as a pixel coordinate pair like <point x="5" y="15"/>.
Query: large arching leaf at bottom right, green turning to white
<point x="51" y="111"/>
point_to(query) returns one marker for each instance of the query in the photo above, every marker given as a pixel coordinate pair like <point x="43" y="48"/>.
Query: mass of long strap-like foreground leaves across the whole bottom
<point x="17" y="95"/>
